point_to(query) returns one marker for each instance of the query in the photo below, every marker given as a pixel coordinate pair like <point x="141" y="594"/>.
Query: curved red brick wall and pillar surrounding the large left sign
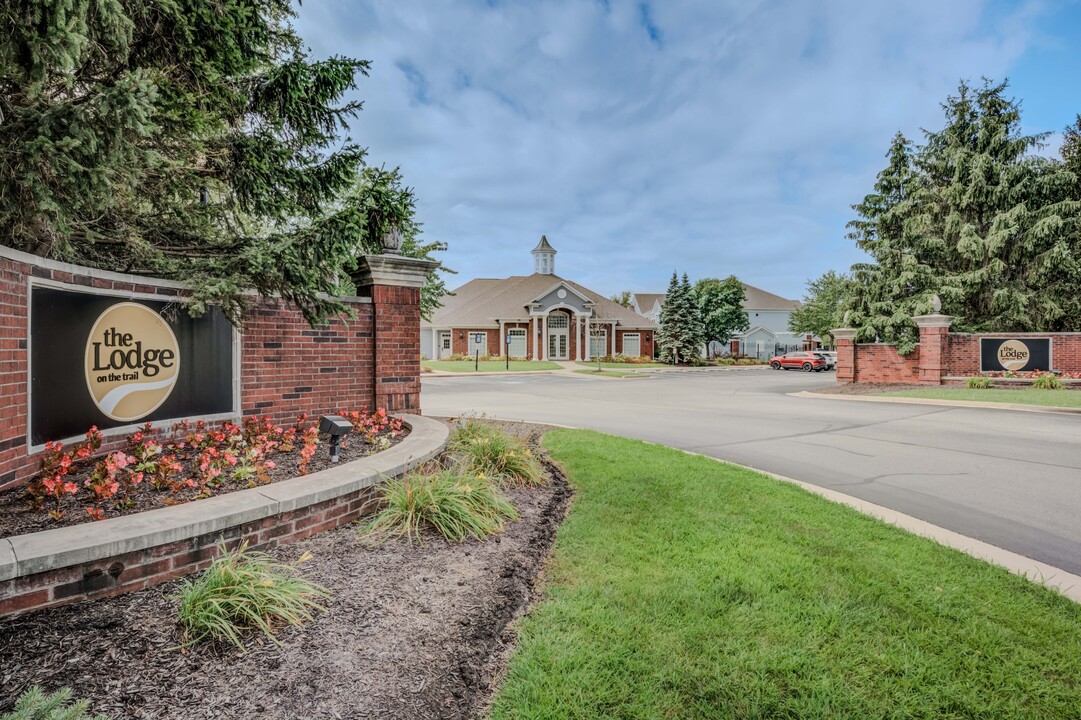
<point x="370" y="361"/>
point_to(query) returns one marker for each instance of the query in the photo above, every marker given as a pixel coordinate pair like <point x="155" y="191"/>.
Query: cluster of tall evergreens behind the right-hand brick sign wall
<point x="975" y="218"/>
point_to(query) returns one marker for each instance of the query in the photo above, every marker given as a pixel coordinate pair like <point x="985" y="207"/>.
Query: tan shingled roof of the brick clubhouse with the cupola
<point x="484" y="302"/>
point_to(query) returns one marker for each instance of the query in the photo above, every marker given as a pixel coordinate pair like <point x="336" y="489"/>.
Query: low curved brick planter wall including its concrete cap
<point x="68" y="565"/>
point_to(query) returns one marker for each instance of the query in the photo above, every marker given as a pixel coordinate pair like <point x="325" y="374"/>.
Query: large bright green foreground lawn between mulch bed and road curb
<point x="682" y="588"/>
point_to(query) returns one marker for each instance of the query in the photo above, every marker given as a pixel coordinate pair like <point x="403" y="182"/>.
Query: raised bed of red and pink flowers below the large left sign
<point x="189" y="462"/>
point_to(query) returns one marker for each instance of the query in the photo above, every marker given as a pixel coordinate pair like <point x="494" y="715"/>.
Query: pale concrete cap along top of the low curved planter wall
<point x="63" y="548"/>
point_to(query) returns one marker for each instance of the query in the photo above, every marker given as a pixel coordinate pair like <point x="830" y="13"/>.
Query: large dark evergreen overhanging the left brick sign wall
<point x="182" y="140"/>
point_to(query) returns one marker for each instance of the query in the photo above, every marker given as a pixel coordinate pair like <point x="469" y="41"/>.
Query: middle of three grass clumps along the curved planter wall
<point x="453" y="503"/>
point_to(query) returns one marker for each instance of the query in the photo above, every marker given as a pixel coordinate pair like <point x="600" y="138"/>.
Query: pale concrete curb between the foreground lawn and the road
<point x="1042" y="574"/>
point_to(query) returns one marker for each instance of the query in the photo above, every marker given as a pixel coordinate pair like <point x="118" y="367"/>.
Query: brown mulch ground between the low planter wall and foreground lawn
<point x="411" y="632"/>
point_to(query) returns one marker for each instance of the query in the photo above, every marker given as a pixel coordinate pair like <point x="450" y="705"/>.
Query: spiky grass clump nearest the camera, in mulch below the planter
<point x="247" y="591"/>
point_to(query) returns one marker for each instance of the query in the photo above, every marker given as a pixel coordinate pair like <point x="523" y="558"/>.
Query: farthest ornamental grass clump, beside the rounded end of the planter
<point x="488" y="451"/>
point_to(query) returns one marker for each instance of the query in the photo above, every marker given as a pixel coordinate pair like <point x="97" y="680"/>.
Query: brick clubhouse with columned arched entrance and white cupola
<point x="540" y="317"/>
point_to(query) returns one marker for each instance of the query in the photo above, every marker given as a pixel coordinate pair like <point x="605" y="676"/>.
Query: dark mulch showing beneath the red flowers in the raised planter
<point x="19" y="517"/>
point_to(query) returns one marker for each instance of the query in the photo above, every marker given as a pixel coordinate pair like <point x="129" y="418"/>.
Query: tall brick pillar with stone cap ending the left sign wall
<point x="394" y="284"/>
